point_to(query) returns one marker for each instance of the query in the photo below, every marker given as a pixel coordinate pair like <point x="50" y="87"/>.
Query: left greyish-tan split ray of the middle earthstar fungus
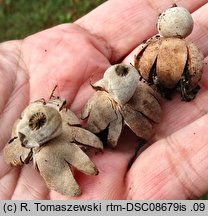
<point x="102" y="113"/>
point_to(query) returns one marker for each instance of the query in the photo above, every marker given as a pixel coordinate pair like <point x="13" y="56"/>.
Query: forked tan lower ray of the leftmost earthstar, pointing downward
<point x="55" y="162"/>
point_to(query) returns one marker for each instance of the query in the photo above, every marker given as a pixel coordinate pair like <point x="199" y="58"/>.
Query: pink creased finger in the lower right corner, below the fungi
<point x="173" y="168"/>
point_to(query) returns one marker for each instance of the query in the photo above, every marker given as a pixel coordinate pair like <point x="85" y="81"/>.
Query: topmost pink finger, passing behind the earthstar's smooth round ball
<point x="125" y="24"/>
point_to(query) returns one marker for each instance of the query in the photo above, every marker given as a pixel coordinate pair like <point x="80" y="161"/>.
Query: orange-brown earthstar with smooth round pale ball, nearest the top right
<point x="168" y="60"/>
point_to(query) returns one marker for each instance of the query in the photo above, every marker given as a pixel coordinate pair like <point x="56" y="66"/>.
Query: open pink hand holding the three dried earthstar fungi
<point x="174" y="166"/>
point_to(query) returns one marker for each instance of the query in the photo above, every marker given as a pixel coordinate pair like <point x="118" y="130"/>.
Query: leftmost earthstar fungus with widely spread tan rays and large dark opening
<point x="50" y="135"/>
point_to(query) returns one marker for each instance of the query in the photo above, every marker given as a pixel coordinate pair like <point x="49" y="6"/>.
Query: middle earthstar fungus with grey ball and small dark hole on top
<point x="120" y="98"/>
